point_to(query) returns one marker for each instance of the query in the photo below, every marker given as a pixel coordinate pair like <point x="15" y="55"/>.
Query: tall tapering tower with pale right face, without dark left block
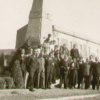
<point x="39" y="25"/>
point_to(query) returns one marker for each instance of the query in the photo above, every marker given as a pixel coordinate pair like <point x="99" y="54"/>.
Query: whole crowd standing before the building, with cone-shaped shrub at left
<point x="41" y="66"/>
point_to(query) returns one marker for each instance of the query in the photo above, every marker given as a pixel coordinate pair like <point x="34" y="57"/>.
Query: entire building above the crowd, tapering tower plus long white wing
<point x="39" y="26"/>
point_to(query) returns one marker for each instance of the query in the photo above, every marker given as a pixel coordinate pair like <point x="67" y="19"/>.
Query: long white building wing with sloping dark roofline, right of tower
<point x="86" y="46"/>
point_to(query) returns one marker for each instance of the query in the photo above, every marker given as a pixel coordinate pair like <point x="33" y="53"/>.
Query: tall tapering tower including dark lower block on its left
<point x="39" y="25"/>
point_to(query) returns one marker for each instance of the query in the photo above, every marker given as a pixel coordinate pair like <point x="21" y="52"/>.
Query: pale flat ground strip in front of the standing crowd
<point x="44" y="94"/>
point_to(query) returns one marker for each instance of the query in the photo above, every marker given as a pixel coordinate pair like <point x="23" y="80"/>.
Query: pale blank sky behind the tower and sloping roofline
<point x="79" y="16"/>
